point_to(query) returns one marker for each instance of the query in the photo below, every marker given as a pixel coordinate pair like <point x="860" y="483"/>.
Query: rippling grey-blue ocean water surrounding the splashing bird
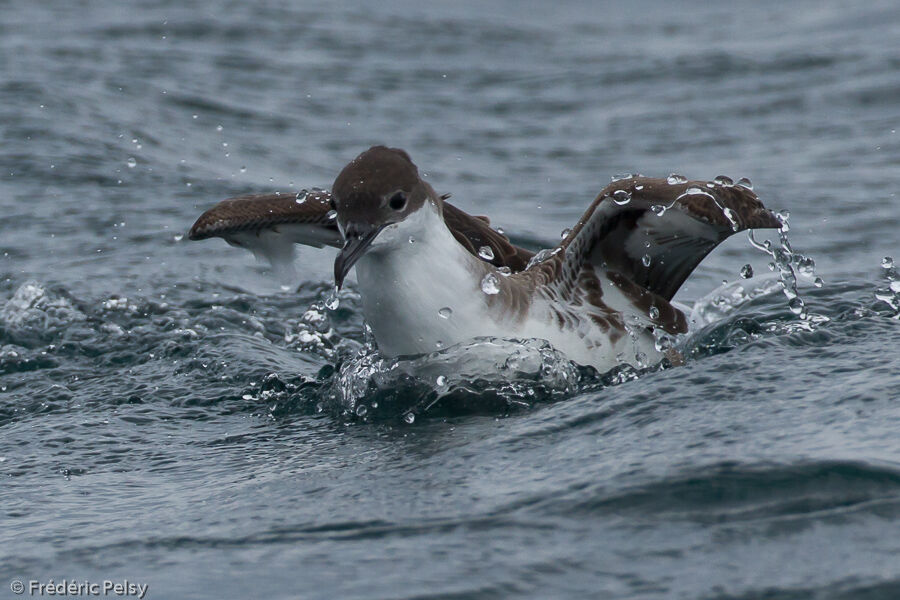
<point x="174" y="414"/>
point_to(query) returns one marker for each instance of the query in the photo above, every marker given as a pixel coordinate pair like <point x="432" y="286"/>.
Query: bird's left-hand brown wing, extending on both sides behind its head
<point x="269" y="225"/>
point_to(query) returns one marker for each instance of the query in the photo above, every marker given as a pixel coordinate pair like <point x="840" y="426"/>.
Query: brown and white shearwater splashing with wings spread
<point x="430" y="275"/>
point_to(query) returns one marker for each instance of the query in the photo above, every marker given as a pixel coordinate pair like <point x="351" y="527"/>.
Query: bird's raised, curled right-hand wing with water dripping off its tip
<point x="649" y="235"/>
